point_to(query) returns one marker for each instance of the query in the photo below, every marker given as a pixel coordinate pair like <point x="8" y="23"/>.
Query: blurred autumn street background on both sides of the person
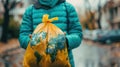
<point x="100" y="20"/>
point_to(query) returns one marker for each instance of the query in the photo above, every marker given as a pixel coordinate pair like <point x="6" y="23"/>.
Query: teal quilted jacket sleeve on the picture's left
<point x="26" y="28"/>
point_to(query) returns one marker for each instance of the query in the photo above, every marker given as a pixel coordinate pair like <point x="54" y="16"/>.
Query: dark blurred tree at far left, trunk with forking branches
<point x="8" y="5"/>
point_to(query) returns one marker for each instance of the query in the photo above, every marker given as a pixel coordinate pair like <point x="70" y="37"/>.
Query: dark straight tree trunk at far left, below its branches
<point x="5" y="22"/>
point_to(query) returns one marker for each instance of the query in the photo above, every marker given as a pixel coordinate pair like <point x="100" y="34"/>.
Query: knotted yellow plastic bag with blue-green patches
<point x="47" y="47"/>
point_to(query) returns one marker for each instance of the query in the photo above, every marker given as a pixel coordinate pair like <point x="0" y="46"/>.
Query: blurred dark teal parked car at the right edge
<point x="109" y="37"/>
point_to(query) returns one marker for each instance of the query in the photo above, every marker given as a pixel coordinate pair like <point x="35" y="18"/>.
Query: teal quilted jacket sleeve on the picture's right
<point x="74" y="36"/>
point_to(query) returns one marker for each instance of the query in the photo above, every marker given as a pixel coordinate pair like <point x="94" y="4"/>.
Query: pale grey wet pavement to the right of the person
<point x="88" y="55"/>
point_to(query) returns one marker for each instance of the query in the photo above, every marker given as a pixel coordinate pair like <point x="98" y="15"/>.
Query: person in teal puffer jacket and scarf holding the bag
<point x="68" y="22"/>
